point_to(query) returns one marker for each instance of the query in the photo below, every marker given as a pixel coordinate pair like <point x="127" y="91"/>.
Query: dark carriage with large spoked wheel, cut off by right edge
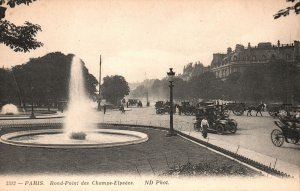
<point x="289" y="131"/>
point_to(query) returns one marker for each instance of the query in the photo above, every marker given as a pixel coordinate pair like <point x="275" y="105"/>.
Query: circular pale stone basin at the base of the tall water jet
<point x="55" y="138"/>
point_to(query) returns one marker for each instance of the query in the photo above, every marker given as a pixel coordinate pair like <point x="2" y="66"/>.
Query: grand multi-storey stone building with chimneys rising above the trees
<point x="239" y="59"/>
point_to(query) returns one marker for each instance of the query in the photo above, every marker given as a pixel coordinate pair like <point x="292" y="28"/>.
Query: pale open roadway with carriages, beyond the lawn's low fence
<point x="252" y="139"/>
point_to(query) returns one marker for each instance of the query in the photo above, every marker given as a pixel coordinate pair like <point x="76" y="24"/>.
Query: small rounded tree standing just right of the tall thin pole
<point x="114" y="88"/>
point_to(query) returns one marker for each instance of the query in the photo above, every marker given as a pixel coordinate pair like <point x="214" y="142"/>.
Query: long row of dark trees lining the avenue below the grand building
<point x="270" y="82"/>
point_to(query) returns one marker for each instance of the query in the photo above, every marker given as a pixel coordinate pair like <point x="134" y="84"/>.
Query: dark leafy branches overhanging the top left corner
<point x="19" y="38"/>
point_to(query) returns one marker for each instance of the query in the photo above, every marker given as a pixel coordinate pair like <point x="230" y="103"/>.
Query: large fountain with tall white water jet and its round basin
<point x="78" y="130"/>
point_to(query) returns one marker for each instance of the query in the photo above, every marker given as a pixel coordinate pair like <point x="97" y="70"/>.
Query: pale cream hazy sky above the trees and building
<point x="142" y="39"/>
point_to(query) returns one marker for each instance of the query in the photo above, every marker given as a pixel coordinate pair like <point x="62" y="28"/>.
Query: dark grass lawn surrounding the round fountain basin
<point x="156" y="156"/>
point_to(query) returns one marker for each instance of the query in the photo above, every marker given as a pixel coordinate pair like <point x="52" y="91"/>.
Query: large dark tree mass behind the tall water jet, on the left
<point x="46" y="79"/>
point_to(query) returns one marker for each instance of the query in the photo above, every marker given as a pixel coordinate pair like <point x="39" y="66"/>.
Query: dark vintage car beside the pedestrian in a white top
<point x="218" y="122"/>
